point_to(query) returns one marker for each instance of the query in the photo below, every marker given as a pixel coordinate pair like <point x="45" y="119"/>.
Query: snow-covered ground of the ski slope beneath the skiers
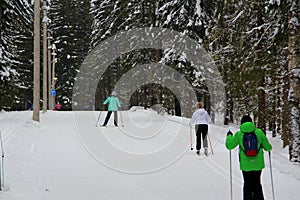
<point x="66" y="157"/>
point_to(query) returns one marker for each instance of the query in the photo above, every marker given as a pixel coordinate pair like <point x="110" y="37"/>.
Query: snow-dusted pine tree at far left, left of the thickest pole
<point x="15" y="29"/>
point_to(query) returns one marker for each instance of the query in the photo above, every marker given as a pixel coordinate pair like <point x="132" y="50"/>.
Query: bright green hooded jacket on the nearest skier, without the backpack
<point x="248" y="163"/>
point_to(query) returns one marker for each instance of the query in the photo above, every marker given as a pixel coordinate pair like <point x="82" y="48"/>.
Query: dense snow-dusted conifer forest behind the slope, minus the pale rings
<point x="254" y="44"/>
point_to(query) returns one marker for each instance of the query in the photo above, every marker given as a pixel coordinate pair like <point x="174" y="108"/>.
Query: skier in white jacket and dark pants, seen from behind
<point x="201" y="119"/>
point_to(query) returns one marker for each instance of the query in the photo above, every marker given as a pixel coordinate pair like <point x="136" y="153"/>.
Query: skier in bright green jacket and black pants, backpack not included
<point x="251" y="166"/>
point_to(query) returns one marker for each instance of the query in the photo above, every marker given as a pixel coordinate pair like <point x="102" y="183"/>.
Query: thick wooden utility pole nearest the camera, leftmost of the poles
<point x="36" y="63"/>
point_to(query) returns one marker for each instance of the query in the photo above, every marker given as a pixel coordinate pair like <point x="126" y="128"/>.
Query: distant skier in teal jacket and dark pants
<point x="113" y="105"/>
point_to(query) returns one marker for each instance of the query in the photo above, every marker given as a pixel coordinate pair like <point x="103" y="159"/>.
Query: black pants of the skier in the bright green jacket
<point x="252" y="185"/>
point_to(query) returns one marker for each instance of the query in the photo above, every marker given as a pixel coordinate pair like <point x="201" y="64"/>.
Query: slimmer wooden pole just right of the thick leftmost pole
<point x="45" y="21"/>
